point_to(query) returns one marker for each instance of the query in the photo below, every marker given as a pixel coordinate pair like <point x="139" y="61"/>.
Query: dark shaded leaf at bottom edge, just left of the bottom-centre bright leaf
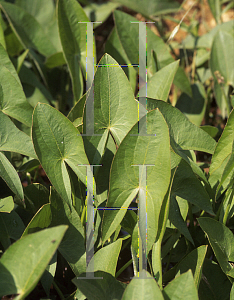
<point x="106" y="288"/>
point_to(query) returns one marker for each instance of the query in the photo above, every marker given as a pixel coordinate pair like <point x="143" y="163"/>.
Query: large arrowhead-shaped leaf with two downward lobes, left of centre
<point x="57" y="143"/>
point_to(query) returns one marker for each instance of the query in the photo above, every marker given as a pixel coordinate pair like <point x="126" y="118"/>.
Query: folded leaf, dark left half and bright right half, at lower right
<point x="193" y="261"/>
